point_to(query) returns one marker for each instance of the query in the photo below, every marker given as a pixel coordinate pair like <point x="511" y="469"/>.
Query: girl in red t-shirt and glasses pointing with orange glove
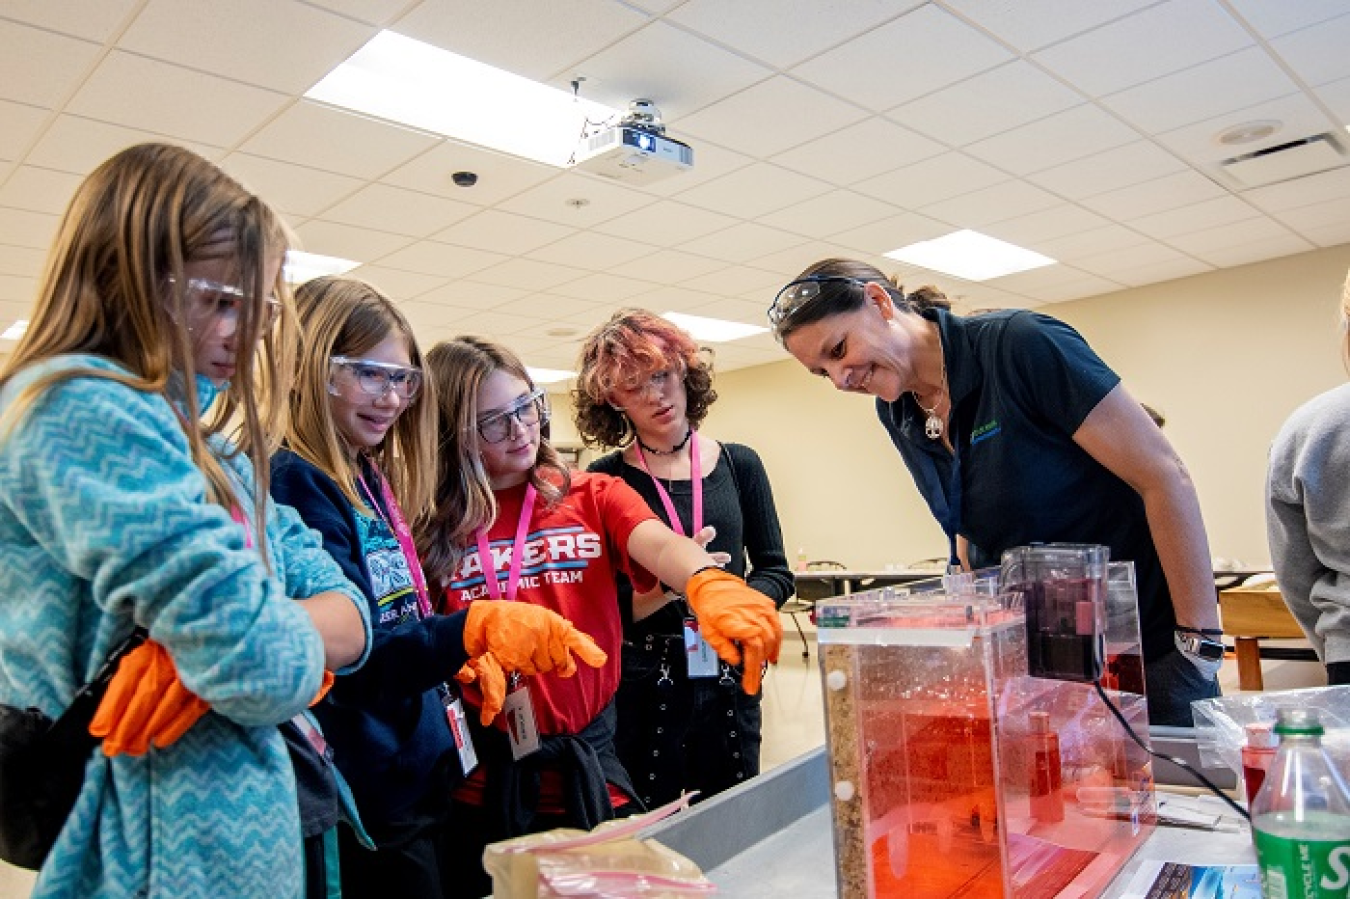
<point x="556" y="539"/>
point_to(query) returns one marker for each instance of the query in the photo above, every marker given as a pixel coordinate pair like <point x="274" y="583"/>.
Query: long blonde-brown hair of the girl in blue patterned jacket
<point x="115" y="288"/>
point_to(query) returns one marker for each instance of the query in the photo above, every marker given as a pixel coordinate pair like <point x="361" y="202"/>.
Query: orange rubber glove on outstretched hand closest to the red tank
<point x="732" y="612"/>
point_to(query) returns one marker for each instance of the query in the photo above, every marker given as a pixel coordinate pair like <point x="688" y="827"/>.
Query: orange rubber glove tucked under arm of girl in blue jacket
<point x="146" y="703"/>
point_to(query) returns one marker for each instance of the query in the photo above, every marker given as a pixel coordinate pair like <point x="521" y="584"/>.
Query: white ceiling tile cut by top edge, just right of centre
<point x="765" y="30"/>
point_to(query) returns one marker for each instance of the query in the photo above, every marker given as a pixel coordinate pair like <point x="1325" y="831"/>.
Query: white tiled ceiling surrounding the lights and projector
<point x="1082" y="129"/>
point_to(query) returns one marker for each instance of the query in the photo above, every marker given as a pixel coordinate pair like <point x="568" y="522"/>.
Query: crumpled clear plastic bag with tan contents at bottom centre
<point x="605" y="863"/>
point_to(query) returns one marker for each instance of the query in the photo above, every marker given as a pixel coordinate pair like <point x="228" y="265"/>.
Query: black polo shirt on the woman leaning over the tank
<point x="1021" y="387"/>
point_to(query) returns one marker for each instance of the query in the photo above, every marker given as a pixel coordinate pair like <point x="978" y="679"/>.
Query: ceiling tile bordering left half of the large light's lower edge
<point x="337" y="141"/>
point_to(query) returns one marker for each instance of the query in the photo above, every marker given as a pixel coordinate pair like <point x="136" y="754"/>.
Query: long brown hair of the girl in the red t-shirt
<point x="465" y="500"/>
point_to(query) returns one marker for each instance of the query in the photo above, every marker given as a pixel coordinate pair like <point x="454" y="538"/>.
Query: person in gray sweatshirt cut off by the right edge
<point x="1307" y="520"/>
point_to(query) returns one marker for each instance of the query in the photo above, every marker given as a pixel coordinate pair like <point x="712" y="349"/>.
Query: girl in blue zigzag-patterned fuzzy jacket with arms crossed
<point x="119" y="507"/>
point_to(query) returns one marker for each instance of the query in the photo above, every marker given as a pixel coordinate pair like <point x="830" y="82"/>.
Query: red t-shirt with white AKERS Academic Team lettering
<point x="572" y="554"/>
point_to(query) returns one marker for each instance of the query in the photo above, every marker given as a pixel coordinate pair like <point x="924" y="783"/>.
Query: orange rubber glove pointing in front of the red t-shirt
<point x="529" y="639"/>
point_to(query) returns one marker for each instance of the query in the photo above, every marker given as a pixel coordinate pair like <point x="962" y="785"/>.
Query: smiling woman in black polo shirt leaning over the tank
<point x="1017" y="433"/>
